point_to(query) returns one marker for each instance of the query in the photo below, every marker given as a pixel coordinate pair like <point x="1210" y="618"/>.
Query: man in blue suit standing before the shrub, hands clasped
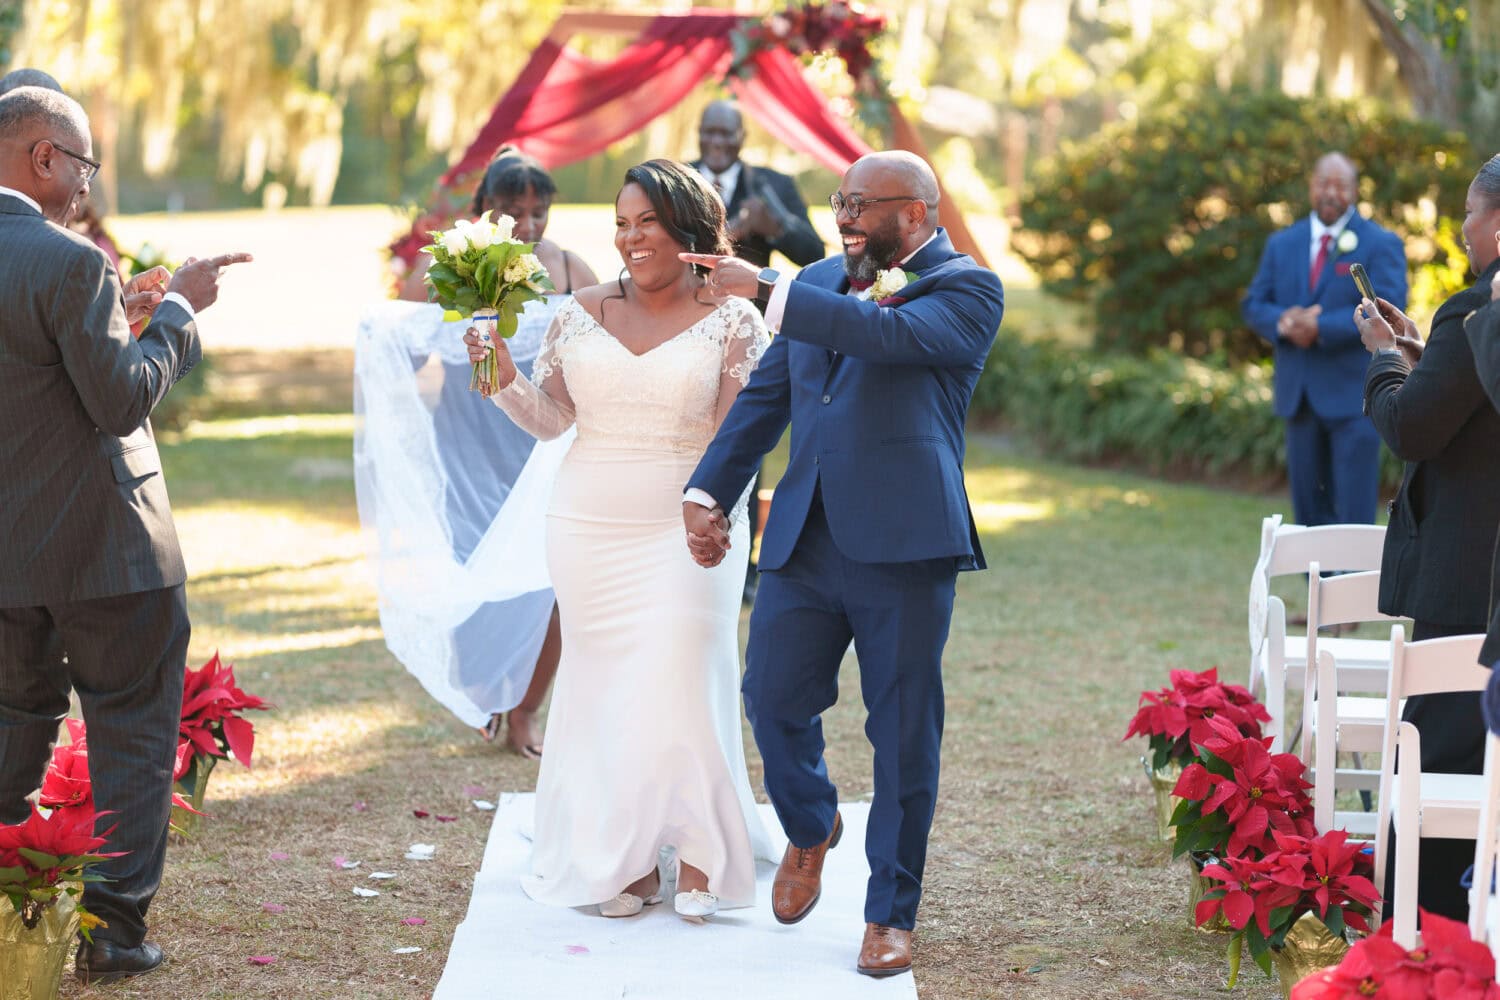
<point x="1303" y="302"/>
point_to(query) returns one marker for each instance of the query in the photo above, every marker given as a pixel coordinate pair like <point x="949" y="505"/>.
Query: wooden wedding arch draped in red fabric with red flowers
<point x="566" y="107"/>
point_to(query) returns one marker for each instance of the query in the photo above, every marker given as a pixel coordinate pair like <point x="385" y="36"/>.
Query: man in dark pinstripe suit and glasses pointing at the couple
<point x="91" y="575"/>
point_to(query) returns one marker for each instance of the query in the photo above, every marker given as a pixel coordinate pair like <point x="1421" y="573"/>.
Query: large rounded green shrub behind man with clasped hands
<point x="1160" y="224"/>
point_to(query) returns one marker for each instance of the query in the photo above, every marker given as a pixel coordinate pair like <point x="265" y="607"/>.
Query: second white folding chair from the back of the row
<point x="1336" y="716"/>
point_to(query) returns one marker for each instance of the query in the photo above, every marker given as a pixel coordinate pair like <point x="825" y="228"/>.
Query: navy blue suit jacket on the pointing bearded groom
<point x="877" y="398"/>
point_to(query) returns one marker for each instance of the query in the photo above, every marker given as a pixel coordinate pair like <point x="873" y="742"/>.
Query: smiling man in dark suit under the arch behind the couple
<point x="764" y="214"/>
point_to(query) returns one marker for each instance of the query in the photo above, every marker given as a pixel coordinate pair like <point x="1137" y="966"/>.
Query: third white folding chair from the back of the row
<point x="1418" y="803"/>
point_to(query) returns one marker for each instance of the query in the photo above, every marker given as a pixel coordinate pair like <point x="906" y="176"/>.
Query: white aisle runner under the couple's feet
<point x="511" y="947"/>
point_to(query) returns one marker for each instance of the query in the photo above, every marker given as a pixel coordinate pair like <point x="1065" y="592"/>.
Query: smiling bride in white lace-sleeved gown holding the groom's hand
<point x="644" y="744"/>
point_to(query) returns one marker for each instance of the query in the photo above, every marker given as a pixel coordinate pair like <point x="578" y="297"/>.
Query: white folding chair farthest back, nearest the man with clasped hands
<point x="1277" y="659"/>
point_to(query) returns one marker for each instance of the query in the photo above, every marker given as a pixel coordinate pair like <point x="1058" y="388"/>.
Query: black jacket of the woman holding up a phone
<point x="1438" y="564"/>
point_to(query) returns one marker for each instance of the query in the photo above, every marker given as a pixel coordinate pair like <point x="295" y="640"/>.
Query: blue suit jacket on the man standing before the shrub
<point x="1331" y="374"/>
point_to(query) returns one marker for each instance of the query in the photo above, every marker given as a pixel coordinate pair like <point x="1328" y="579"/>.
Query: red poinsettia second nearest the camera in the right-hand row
<point x="1262" y="899"/>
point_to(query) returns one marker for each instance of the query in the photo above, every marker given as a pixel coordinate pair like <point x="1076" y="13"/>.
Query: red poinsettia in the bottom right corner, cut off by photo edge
<point x="1448" y="966"/>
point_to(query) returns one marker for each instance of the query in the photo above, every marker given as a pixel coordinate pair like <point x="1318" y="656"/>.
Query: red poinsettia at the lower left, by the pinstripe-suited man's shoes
<point x="47" y="858"/>
